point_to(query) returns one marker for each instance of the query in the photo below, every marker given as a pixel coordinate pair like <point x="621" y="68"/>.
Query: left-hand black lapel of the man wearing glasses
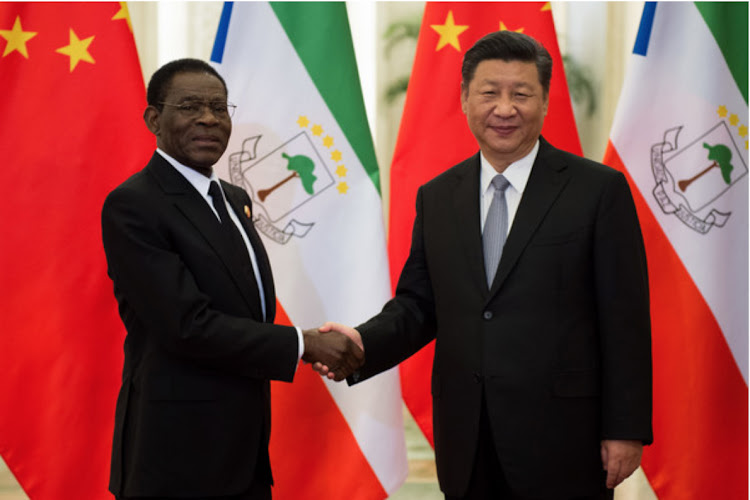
<point x="199" y="214"/>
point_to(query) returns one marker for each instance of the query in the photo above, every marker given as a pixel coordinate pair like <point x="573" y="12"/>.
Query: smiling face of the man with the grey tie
<point x="505" y="106"/>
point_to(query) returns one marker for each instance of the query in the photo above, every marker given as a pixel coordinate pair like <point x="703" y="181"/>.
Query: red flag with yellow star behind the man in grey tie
<point x="434" y="135"/>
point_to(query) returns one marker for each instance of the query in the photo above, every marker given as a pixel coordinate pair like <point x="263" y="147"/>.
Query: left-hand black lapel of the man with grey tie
<point x="466" y="203"/>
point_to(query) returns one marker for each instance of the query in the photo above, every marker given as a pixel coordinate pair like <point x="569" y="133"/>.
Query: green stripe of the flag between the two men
<point x="319" y="32"/>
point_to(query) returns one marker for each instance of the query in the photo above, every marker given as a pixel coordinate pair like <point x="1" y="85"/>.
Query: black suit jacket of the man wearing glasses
<point x="193" y="413"/>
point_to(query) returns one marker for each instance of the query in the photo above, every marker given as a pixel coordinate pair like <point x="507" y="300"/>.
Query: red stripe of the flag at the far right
<point x="698" y="388"/>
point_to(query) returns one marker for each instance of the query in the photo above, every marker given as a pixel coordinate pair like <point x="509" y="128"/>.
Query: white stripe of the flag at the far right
<point x="694" y="82"/>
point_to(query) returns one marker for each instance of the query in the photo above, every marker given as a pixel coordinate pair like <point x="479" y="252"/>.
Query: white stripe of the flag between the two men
<point x="338" y="269"/>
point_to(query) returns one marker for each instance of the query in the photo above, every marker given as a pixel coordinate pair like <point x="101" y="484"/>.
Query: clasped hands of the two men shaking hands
<point x="335" y="350"/>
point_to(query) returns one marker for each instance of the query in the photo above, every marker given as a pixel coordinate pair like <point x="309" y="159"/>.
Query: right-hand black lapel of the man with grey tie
<point x="548" y="177"/>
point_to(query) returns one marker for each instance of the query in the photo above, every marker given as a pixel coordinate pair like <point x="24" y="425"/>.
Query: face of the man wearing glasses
<point x="195" y="140"/>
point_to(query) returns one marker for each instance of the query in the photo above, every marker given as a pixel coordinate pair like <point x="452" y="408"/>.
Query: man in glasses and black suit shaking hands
<point x="196" y="295"/>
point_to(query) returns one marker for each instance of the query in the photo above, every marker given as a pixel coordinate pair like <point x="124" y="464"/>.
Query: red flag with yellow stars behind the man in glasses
<point x="72" y="95"/>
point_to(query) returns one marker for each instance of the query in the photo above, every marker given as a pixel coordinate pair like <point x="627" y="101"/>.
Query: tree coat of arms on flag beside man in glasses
<point x="283" y="180"/>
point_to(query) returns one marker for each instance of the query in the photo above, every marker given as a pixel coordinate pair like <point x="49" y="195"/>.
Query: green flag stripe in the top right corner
<point x="728" y="23"/>
